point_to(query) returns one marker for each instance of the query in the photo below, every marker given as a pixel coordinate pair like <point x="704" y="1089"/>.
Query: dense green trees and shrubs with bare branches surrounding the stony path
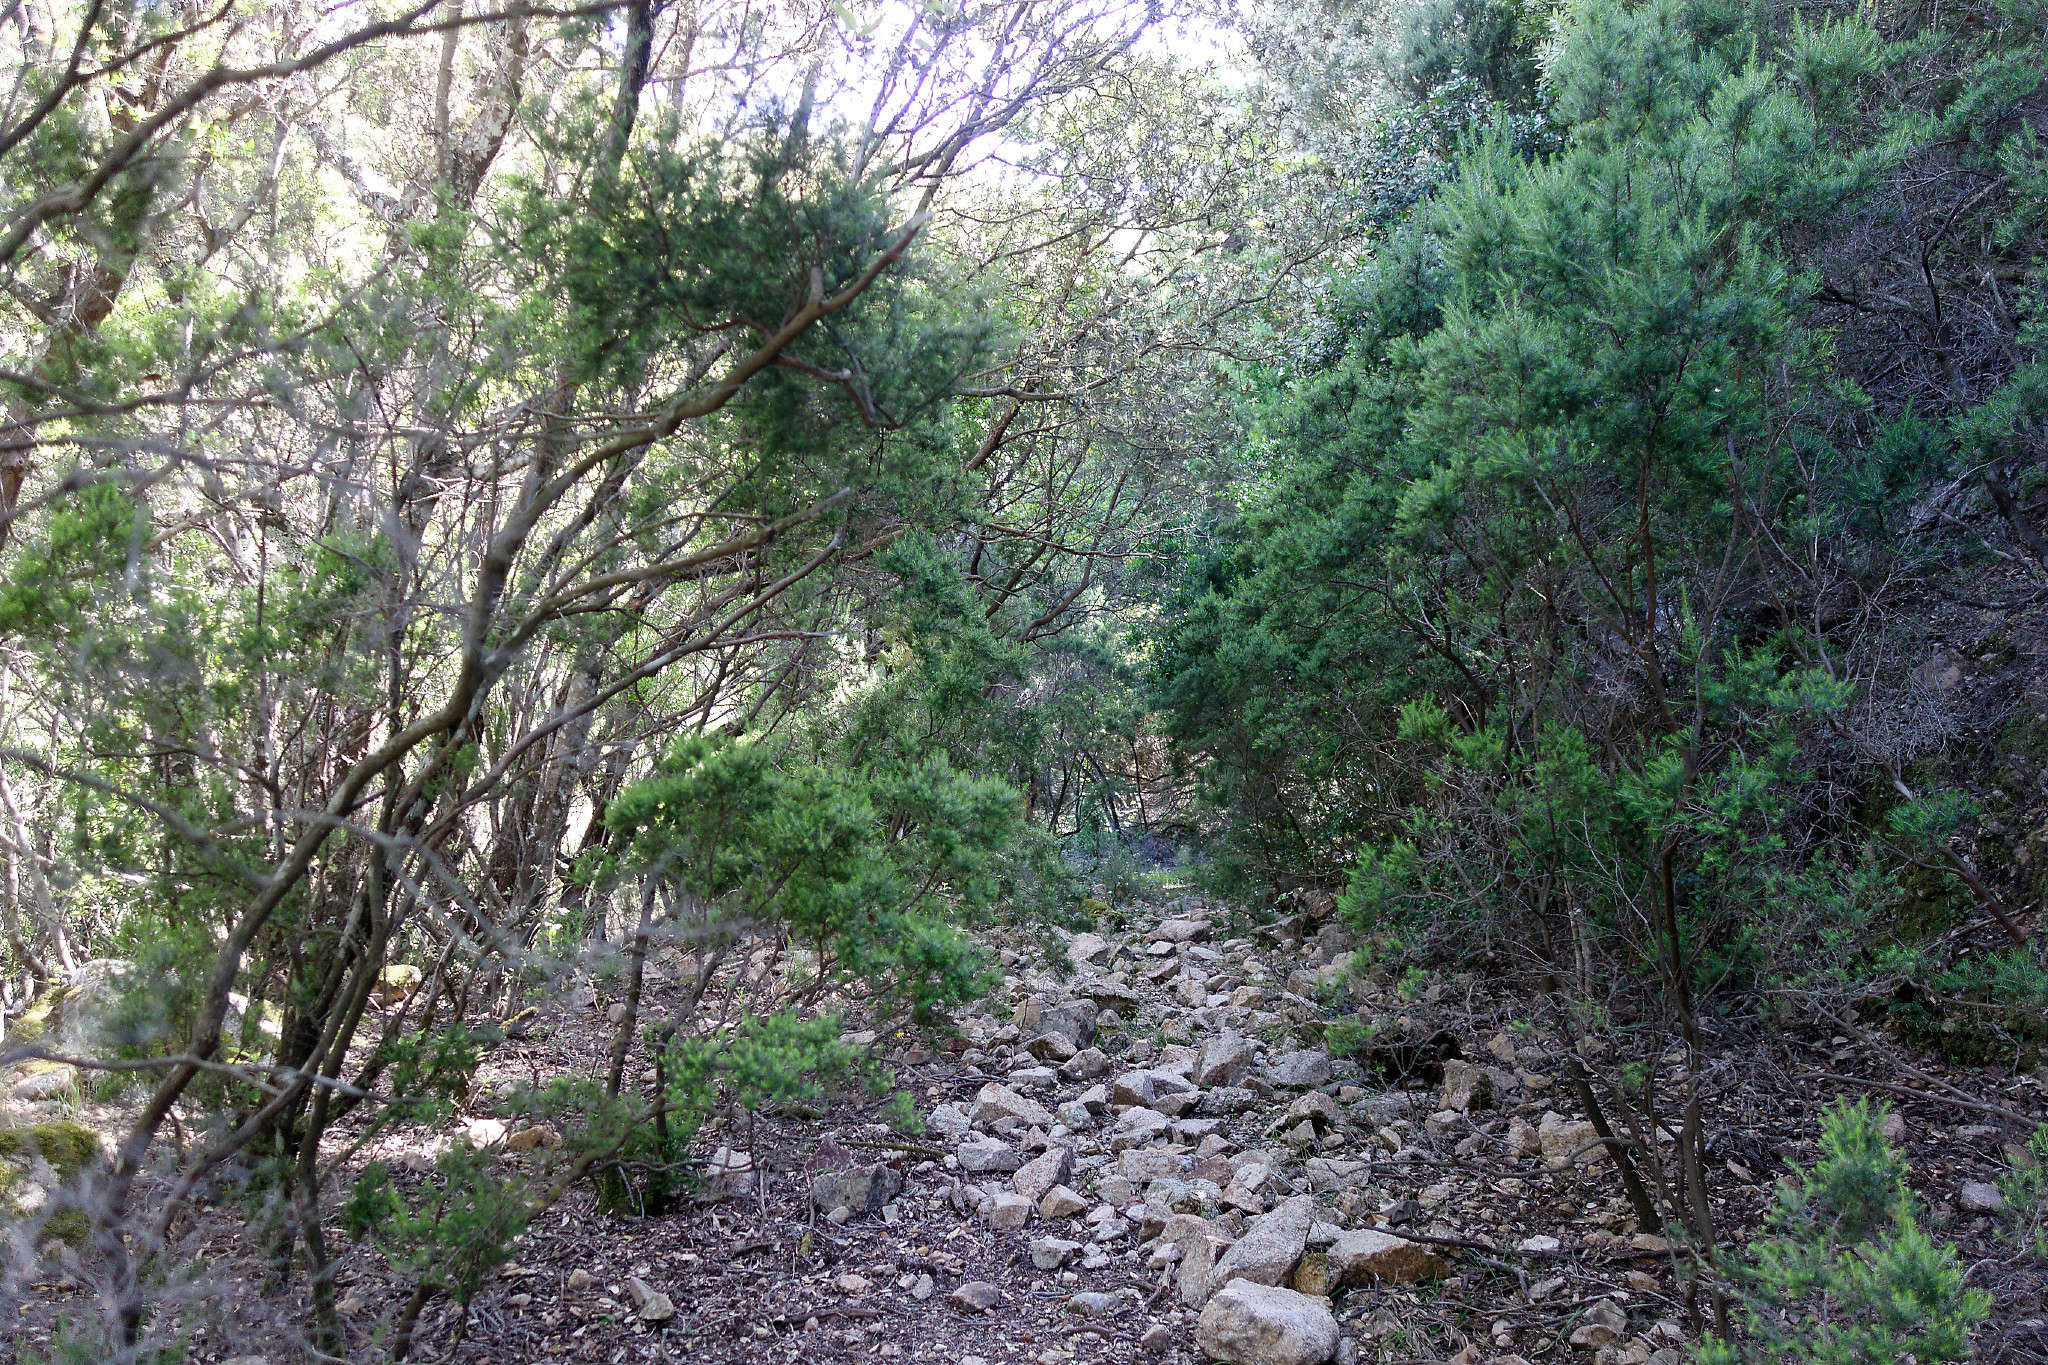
<point x="501" y="498"/>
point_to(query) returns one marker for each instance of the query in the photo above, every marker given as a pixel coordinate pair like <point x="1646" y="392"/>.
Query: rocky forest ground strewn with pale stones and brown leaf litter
<point x="1142" y="1151"/>
